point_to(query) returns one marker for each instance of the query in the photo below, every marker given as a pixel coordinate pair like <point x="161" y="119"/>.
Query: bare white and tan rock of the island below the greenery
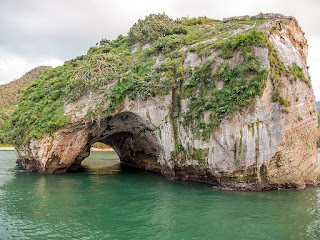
<point x="259" y="148"/>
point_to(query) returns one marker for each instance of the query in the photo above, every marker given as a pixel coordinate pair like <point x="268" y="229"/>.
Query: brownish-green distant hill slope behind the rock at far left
<point x="10" y="92"/>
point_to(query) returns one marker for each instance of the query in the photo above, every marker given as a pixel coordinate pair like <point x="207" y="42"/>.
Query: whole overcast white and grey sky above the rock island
<point x="43" y="32"/>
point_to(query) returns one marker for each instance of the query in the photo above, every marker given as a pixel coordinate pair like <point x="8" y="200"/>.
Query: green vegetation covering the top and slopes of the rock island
<point x="150" y="61"/>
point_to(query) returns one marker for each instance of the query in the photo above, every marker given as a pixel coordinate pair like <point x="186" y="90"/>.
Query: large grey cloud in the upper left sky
<point x="61" y="28"/>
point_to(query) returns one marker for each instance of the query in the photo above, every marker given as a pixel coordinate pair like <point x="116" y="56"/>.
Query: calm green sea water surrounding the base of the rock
<point x="107" y="201"/>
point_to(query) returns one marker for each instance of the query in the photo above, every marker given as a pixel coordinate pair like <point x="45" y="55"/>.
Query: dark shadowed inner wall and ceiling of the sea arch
<point x="129" y="136"/>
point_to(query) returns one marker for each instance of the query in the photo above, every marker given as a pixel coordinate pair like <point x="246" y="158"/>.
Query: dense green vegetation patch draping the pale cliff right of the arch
<point x="241" y="84"/>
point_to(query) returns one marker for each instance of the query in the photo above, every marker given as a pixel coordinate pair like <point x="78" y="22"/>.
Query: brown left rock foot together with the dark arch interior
<point x="127" y="133"/>
